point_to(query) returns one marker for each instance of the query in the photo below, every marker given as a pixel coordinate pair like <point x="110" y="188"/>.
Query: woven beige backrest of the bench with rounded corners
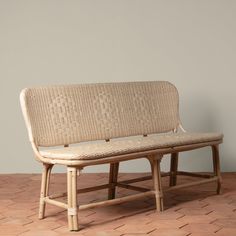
<point x="57" y="115"/>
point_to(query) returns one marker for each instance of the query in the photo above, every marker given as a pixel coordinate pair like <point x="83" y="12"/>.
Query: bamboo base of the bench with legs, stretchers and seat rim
<point x="154" y="157"/>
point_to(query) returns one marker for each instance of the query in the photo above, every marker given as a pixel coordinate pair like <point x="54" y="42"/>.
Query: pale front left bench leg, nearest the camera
<point x="72" y="198"/>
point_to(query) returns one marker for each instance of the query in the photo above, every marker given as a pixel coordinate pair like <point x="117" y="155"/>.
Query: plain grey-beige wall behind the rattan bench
<point x="189" y="43"/>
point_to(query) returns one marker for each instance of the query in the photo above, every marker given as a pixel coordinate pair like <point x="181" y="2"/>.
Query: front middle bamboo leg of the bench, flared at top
<point x="156" y="173"/>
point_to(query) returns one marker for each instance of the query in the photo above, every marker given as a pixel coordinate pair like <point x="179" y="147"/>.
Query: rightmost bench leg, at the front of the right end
<point x="216" y="166"/>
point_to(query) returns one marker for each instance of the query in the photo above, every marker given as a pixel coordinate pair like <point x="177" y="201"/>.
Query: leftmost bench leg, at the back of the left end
<point x="44" y="188"/>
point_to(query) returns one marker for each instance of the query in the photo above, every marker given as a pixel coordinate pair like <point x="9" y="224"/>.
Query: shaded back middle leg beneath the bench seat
<point x="113" y="175"/>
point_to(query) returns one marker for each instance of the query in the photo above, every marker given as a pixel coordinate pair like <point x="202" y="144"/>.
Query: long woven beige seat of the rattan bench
<point x="102" y="149"/>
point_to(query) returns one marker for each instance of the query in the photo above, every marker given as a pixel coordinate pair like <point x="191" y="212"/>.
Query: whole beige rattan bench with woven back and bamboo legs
<point x="110" y="123"/>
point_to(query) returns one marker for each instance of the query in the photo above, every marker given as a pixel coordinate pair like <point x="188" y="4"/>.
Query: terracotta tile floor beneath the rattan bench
<point x="195" y="211"/>
